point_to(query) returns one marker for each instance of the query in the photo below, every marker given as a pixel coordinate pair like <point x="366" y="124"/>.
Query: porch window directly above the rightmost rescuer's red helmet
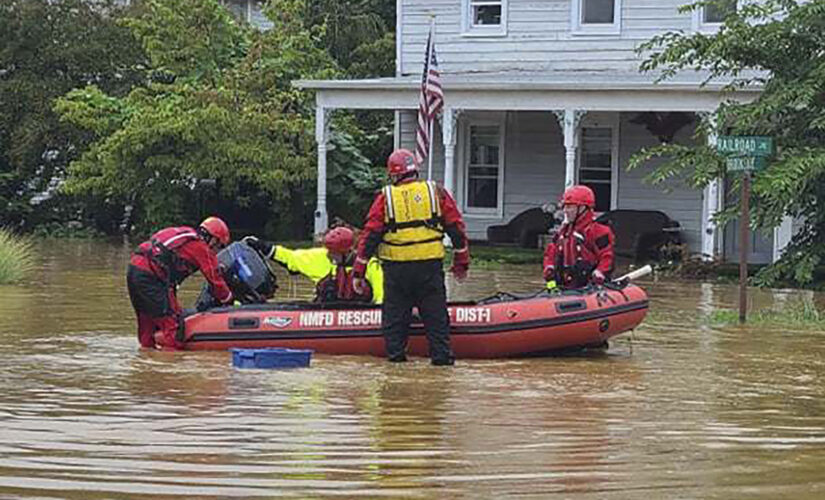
<point x="596" y="164"/>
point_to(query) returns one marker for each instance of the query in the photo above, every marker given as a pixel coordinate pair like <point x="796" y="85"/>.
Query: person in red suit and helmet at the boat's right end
<point x="581" y="252"/>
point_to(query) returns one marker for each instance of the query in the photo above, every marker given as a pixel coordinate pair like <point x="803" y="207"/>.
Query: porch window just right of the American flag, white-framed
<point x="484" y="169"/>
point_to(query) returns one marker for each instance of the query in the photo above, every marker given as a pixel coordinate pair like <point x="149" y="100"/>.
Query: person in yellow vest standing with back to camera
<point x="405" y="226"/>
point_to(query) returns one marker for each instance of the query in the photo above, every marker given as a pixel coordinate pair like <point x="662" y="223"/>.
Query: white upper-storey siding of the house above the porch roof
<point x="538" y="37"/>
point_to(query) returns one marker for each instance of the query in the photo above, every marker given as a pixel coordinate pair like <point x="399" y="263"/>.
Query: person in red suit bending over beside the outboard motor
<point x="160" y="264"/>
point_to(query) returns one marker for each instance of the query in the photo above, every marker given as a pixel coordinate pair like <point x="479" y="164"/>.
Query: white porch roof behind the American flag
<point x="595" y="91"/>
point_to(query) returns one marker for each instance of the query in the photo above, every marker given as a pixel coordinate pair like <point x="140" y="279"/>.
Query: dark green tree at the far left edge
<point x="46" y="49"/>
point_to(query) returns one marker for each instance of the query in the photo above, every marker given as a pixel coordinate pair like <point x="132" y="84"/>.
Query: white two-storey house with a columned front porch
<point x="541" y="94"/>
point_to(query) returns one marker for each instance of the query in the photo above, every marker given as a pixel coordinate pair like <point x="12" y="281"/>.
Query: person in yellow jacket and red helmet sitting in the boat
<point x="329" y="267"/>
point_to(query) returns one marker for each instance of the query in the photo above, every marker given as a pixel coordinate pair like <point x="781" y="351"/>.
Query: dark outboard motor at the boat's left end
<point x="246" y="273"/>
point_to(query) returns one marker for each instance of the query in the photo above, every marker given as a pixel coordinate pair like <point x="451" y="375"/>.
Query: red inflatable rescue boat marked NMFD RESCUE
<point x="504" y="325"/>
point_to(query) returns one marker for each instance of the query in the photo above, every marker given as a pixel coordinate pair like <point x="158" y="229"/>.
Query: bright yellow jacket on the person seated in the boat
<point x="314" y="263"/>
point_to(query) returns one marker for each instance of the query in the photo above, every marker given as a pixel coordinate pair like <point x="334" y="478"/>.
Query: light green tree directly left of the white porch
<point x="221" y="107"/>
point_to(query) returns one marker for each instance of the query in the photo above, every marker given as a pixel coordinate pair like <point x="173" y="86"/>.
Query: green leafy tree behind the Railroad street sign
<point x="780" y="45"/>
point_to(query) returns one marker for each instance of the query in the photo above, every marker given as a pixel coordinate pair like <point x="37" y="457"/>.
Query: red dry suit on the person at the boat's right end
<point x="577" y="250"/>
